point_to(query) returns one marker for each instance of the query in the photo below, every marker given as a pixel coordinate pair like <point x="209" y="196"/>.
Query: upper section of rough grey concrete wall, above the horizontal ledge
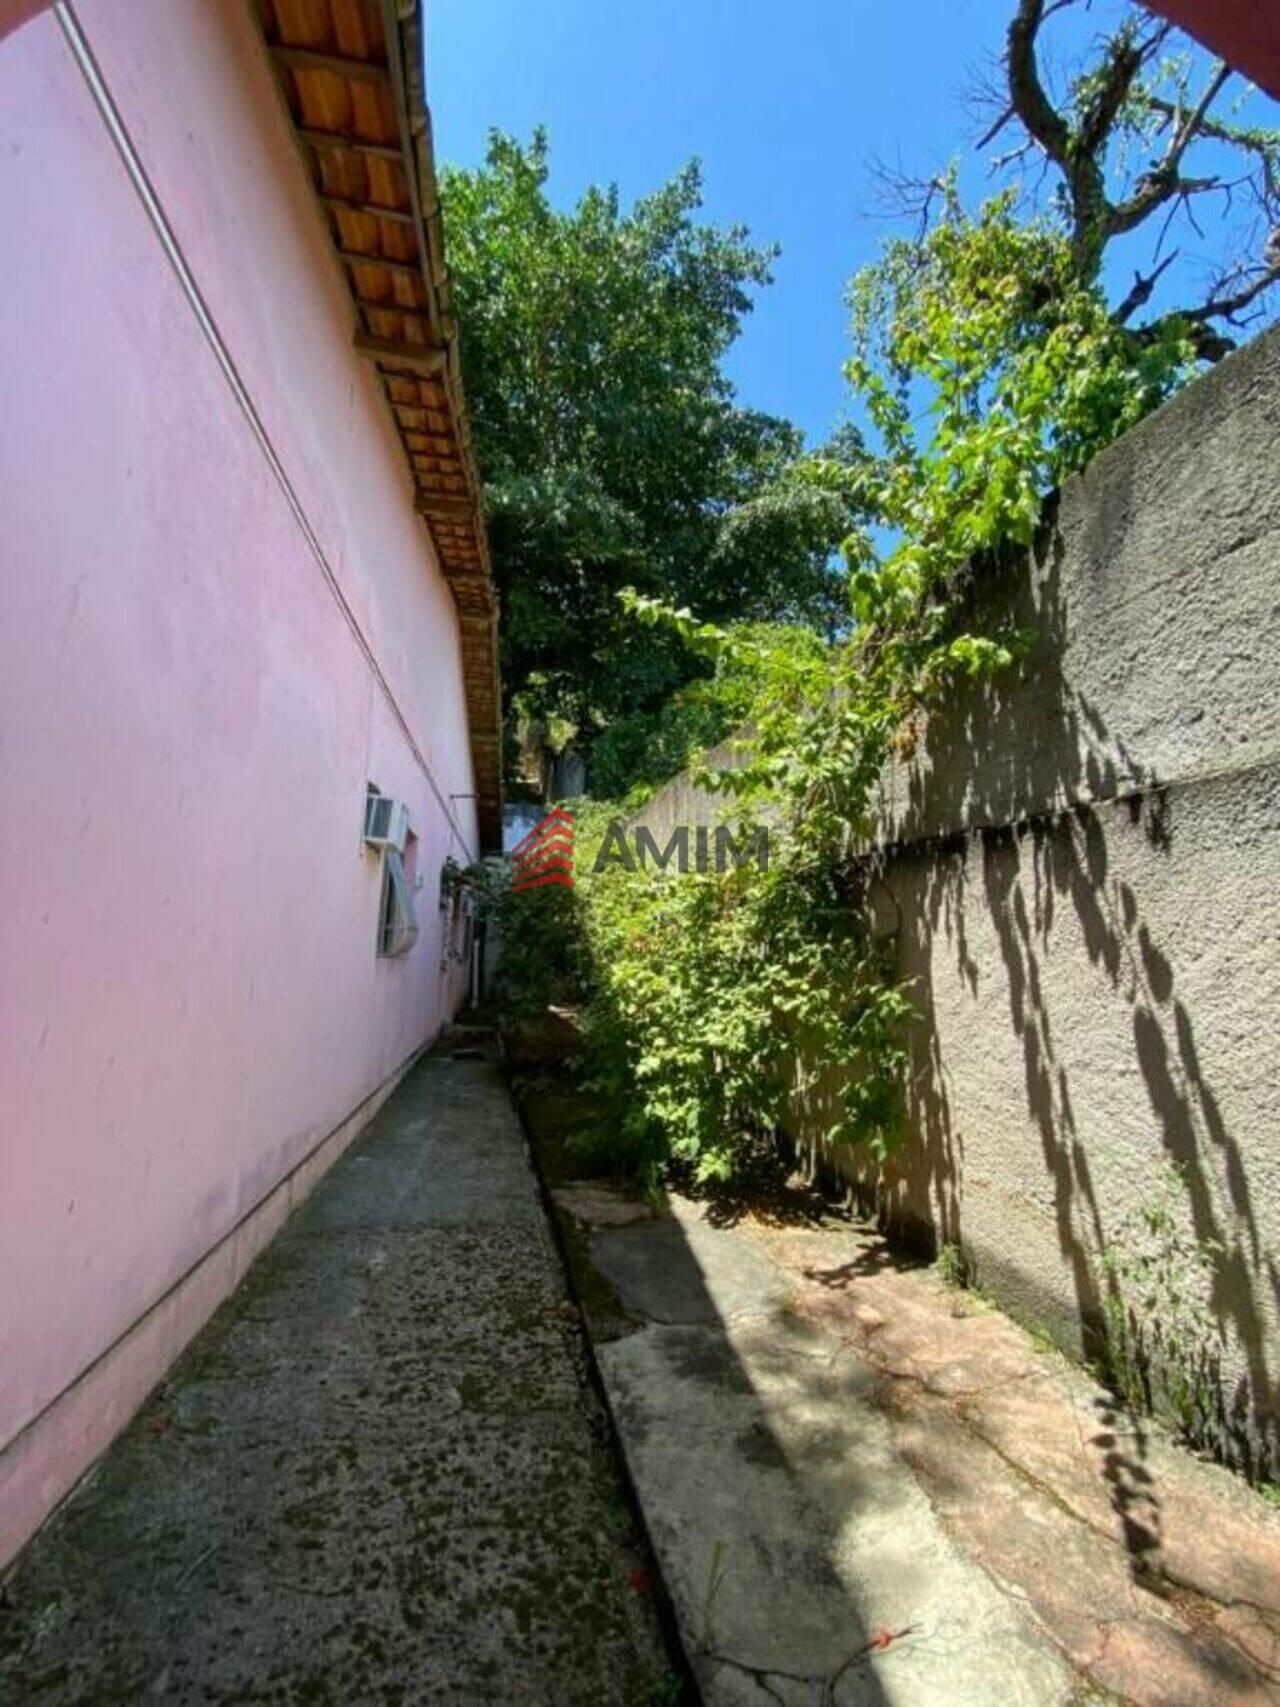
<point x="1153" y="597"/>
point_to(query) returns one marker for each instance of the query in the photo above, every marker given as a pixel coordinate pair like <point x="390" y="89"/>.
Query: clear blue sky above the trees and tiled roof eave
<point x="784" y="105"/>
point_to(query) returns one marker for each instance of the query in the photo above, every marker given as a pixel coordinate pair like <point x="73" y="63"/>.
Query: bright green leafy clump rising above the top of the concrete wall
<point x="1025" y="376"/>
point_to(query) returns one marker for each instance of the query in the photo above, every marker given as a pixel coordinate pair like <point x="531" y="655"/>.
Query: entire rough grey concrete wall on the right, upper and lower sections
<point x="1085" y="875"/>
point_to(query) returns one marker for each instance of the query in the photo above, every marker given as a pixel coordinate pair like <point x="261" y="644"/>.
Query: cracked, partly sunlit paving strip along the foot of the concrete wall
<point x="866" y="1488"/>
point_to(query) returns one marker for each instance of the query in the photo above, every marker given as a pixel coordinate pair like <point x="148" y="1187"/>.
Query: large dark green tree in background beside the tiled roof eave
<point x="610" y="441"/>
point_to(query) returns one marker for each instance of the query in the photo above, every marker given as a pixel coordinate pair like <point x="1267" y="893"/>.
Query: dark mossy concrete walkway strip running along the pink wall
<point x="378" y="1477"/>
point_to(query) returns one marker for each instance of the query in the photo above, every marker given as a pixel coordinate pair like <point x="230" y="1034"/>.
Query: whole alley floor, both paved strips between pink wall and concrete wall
<point x="385" y="1474"/>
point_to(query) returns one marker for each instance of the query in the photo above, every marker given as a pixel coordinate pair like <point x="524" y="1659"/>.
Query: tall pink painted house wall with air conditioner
<point x="190" y="998"/>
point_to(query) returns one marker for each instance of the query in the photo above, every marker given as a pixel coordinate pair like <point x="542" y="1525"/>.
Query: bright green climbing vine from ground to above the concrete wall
<point x="987" y="373"/>
